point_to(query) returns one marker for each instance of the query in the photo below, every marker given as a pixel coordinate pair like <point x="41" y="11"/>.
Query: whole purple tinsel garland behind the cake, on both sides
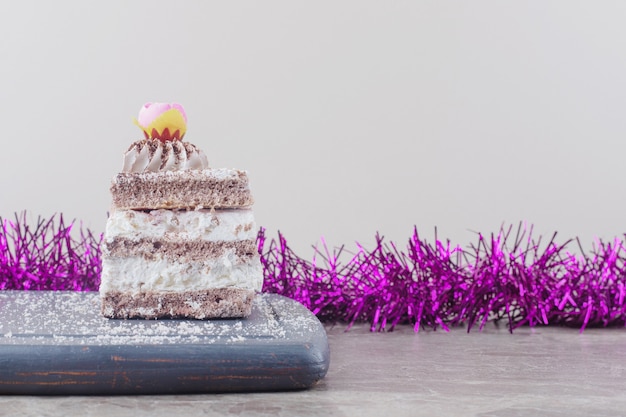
<point x="502" y="278"/>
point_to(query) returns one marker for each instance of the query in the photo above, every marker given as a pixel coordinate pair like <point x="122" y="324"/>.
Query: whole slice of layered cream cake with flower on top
<point x="180" y="241"/>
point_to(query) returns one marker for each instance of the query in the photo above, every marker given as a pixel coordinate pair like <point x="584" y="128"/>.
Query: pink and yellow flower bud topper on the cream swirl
<point x="162" y="121"/>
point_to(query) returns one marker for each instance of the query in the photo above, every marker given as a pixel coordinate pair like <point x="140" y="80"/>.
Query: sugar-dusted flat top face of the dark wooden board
<point x="73" y="318"/>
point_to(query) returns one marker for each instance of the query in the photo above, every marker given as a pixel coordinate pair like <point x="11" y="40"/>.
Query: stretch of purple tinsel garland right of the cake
<point x="439" y="286"/>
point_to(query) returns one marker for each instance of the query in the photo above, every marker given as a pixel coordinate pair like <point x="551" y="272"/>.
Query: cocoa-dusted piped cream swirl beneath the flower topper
<point x="152" y="155"/>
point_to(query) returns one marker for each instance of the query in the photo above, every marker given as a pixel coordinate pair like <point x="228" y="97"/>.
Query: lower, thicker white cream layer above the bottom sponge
<point x="136" y="274"/>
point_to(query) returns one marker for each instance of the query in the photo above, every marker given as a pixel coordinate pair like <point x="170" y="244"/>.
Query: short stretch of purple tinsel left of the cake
<point x="47" y="256"/>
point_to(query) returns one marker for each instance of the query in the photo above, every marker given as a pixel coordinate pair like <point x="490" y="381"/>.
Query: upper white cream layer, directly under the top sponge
<point x="219" y="225"/>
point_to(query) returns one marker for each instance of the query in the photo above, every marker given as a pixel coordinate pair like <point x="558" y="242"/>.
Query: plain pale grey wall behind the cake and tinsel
<point x="351" y="117"/>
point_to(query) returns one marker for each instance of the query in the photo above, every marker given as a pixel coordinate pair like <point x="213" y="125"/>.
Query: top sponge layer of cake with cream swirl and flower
<point x="162" y="171"/>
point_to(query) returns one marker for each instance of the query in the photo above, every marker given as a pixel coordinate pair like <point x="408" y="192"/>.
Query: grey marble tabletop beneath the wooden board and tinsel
<point x="540" y="371"/>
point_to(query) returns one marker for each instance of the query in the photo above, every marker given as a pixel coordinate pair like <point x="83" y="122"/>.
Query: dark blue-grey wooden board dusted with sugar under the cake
<point x="58" y="343"/>
